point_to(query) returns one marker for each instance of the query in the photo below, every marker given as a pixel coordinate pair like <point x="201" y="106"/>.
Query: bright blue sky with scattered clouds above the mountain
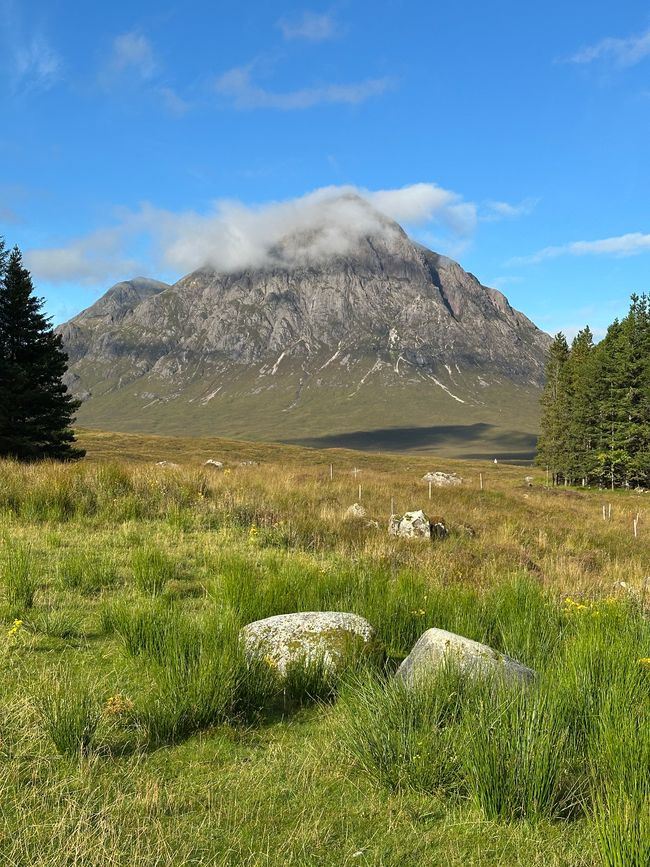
<point x="513" y="137"/>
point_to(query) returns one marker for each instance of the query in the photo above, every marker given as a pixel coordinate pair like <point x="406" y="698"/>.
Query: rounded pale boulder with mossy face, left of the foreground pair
<point x="330" y="637"/>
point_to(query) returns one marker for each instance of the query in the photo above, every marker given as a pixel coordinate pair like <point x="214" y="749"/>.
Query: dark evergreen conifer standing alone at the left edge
<point x="36" y="410"/>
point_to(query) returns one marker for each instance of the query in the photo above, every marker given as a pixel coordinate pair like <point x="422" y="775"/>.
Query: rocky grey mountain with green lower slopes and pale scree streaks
<point x="382" y="344"/>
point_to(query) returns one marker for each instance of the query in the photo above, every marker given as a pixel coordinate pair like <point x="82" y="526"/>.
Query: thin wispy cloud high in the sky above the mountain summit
<point x="238" y="87"/>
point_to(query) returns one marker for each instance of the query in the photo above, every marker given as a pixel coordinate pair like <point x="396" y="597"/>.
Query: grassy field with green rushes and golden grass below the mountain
<point x="133" y="731"/>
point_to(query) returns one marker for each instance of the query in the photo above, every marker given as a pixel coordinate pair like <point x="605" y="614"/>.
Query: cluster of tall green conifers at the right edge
<point x="595" y="407"/>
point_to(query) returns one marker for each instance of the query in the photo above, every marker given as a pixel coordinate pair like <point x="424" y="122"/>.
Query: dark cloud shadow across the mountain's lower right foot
<point x="479" y="441"/>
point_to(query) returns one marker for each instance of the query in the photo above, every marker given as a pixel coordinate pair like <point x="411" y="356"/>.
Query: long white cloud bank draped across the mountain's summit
<point x="232" y="236"/>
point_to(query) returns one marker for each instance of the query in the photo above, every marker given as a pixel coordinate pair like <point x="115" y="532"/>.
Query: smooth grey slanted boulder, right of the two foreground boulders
<point x="436" y="648"/>
